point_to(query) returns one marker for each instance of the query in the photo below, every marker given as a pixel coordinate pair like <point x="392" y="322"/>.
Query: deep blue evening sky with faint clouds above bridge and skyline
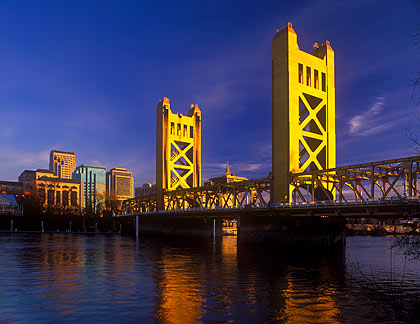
<point x="86" y="76"/>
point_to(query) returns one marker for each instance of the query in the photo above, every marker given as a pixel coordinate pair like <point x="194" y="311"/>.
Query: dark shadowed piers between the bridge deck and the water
<point x="308" y="231"/>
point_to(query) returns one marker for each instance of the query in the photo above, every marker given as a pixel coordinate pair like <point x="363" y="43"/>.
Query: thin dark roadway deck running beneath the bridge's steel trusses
<point x="393" y="207"/>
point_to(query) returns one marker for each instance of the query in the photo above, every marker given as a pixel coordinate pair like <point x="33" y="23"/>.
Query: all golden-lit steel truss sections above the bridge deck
<point x="382" y="180"/>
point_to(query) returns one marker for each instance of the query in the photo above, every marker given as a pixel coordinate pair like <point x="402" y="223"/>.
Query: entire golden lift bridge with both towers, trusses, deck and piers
<point x="304" y="184"/>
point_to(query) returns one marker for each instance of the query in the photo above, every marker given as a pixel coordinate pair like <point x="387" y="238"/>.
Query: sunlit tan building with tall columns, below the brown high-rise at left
<point x="52" y="192"/>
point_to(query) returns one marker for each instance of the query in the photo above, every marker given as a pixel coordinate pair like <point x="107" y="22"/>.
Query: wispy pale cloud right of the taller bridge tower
<point x="363" y="125"/>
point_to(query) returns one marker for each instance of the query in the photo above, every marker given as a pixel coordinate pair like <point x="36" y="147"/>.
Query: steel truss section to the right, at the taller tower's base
<point x="360" y="182"/>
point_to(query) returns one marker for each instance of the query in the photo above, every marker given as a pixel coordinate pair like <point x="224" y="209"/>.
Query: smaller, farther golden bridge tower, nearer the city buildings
<point x="178" y="150"/>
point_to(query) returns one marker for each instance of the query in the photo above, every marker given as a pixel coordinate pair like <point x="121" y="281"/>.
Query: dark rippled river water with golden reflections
<point x="66" y="278"/>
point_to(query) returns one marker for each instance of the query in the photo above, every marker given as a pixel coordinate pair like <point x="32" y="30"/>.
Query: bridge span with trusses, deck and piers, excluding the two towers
<point x="383" y="189"/>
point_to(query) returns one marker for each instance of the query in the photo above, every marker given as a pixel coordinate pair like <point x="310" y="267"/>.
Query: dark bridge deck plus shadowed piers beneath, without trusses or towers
<point x="313" y="224"/>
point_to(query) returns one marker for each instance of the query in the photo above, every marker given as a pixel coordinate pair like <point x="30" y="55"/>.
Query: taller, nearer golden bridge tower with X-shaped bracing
<point x="303" y="111"/>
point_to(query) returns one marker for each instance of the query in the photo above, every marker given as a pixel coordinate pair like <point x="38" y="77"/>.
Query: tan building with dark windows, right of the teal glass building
<point x="119" y="185"/>
